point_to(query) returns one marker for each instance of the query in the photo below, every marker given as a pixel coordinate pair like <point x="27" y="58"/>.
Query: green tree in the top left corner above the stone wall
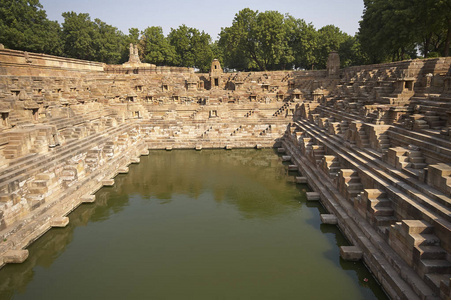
<point x="24" y="26"/>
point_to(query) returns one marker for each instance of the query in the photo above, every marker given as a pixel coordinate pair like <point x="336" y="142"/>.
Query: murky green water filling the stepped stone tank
<point x="213" y="224"/>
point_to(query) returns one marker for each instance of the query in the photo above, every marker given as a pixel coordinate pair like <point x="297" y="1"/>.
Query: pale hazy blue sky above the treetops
<point x="209" y="16"/>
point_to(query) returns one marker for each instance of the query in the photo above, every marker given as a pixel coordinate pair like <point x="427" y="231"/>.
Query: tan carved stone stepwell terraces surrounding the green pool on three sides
<point x="373" y="143"/>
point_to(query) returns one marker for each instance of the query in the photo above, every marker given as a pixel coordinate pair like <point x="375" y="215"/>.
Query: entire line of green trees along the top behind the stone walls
<point x="389" y="30"/>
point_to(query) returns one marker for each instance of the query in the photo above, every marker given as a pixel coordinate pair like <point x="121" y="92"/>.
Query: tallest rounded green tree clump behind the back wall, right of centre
<point x="272" y="41"/>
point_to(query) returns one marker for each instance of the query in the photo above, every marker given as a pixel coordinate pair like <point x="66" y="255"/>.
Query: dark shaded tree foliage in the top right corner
<point x="398" y="29"/>
